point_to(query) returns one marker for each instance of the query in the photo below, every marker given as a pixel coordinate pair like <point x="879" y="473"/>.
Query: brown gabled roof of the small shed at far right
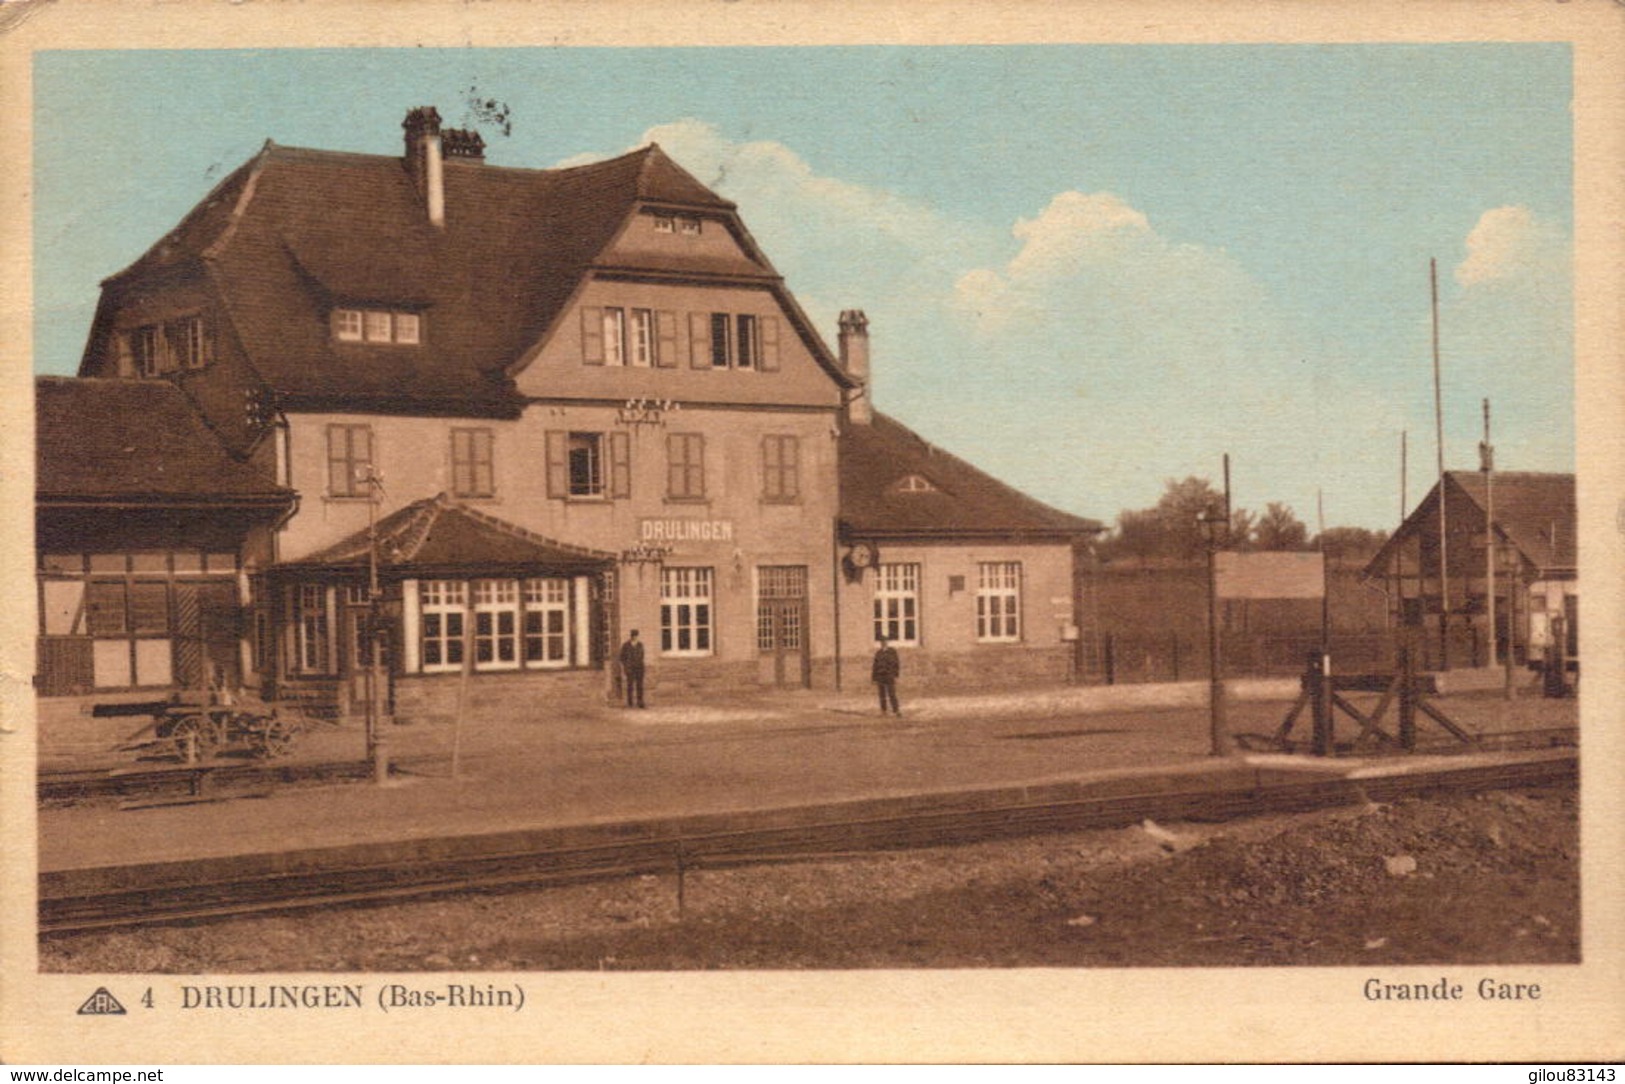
<point x="1535" y="511"/>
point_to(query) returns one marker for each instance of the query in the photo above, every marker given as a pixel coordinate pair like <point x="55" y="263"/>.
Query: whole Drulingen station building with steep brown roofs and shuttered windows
<point x="477" y="423"/>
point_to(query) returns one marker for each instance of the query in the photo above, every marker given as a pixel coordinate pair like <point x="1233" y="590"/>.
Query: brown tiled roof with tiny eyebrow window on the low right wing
<point x="964" y="503"/>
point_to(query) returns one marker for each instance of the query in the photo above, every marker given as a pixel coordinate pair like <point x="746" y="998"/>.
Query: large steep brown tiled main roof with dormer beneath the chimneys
<point x="297" y="232"/>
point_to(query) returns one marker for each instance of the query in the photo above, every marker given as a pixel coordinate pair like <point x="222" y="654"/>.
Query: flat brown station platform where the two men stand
<point x="745" y="757"/>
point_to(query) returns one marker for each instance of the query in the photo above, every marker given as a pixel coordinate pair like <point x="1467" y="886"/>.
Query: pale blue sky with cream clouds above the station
<point x="1088" y="269"/>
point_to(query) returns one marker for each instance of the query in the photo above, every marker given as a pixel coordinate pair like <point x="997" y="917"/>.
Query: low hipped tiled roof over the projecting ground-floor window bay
<point x="443" y="535"/>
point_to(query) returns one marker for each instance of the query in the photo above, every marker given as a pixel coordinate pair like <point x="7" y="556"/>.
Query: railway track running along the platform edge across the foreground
<point x="716" y="841"/>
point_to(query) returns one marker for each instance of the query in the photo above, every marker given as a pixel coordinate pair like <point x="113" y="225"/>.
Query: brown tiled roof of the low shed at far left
<point x="134" y="441"/>
